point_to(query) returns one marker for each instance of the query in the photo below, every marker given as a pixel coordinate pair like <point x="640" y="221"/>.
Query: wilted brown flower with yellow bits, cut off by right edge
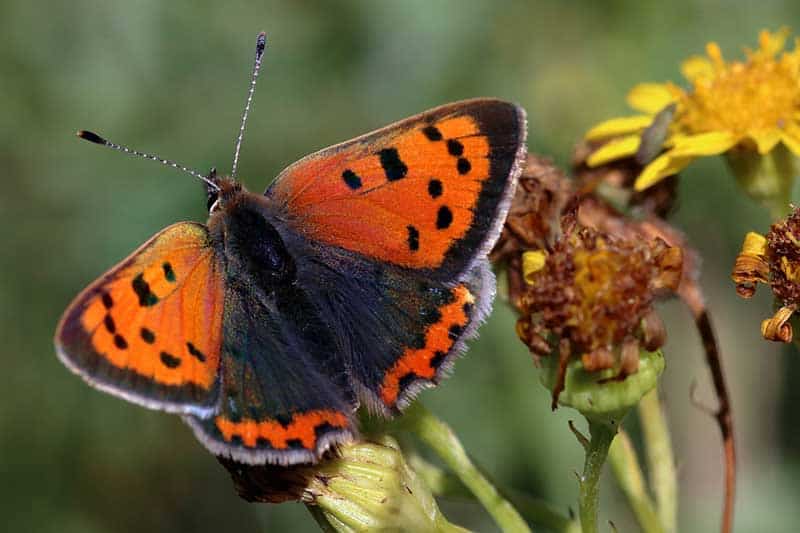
<point x="773" y="259"/>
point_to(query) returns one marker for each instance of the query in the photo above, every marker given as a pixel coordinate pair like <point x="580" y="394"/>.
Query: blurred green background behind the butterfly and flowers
<point x="171" y="78"/>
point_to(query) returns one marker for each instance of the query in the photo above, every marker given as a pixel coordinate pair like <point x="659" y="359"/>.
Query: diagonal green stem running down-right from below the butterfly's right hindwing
<point x="441" y="439"/>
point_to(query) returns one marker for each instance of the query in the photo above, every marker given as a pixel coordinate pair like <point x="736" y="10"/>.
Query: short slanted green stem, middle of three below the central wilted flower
<point x="628" y="473"/>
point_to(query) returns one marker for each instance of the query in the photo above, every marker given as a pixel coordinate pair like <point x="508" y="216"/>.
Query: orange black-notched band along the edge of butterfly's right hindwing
<point x="440" y="338"/>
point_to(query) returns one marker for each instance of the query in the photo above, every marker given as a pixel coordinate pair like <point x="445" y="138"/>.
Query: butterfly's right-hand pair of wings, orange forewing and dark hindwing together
<point x="399" y="223"/>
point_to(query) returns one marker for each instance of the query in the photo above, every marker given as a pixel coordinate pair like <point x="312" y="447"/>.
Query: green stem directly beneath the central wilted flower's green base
<point x="596" y="452"/>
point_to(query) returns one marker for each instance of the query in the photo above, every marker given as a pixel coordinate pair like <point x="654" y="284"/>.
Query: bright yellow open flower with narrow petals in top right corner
<point x="753" y="105"/>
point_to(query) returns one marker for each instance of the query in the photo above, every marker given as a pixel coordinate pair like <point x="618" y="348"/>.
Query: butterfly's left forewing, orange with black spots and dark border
<point x="150" y="329"/>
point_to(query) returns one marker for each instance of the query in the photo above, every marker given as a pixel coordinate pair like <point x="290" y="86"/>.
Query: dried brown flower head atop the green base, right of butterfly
<point x="590" y="296"/>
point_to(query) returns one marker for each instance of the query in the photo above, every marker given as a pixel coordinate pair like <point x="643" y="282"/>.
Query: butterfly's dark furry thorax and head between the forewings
<point x="250" y="246"/>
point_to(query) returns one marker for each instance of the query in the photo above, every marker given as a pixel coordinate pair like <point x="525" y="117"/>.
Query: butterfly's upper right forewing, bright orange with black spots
<point x="429" y="192"/>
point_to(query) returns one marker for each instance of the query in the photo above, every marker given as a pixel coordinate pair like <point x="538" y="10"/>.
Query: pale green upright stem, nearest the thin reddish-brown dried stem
<point x="660" y="459"/>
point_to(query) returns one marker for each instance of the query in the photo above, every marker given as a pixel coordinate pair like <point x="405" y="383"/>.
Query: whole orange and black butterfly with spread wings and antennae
<point x="355" y="279"/>
